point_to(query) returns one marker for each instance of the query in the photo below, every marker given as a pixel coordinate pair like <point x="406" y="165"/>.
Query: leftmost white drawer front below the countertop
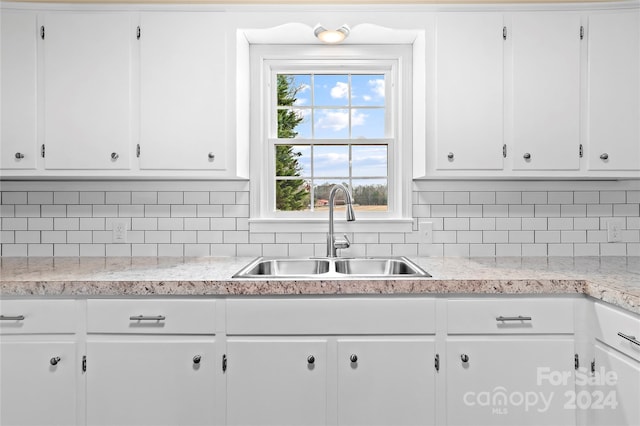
<point x="37" y="316"/>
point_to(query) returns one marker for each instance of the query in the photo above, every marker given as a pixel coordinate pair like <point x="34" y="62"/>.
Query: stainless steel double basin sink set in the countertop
<point x="329" y="268"/>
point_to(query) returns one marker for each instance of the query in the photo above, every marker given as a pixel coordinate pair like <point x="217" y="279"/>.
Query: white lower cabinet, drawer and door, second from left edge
<point x="152" y="362"/>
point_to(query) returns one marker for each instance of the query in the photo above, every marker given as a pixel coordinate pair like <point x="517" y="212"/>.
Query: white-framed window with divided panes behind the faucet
<point x="326" y="120"/>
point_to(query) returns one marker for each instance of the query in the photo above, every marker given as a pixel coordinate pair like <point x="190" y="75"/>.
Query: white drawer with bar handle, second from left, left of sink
<point x="151" y="316"/>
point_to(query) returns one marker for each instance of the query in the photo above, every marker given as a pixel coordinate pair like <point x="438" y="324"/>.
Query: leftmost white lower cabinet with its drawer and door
<point x="39" y="367"/>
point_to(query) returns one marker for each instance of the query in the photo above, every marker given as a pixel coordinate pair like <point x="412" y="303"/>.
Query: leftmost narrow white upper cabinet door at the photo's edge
<point x="18" y="90"/>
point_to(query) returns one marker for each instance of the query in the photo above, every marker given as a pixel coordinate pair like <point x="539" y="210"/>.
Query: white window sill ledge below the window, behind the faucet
<point x="322" y="225"/>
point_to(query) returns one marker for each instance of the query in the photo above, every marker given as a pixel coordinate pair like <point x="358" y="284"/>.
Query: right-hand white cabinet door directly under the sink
<point x="386" y="382"/>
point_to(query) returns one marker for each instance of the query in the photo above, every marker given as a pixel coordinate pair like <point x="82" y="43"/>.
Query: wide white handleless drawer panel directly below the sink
<point x="331" y="316"/>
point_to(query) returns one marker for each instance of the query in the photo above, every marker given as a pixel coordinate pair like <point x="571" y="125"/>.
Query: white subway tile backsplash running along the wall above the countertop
<point x="203" y="223"/>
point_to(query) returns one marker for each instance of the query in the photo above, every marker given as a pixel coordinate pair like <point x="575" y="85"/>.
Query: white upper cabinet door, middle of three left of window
<point x="87" y="84"/>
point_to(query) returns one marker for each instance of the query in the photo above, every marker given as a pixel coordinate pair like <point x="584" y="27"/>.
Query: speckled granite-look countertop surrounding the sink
<point x="612" y="279"/>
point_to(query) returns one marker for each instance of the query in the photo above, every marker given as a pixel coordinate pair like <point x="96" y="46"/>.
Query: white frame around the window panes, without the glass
<point x="392" y="60"/>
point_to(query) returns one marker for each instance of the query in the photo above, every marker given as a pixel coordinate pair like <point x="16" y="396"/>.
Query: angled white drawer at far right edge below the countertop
<point x="610" y="322"/>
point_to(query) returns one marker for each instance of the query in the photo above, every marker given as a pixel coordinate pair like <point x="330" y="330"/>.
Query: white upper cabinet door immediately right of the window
<point x="469" y="85"/>
